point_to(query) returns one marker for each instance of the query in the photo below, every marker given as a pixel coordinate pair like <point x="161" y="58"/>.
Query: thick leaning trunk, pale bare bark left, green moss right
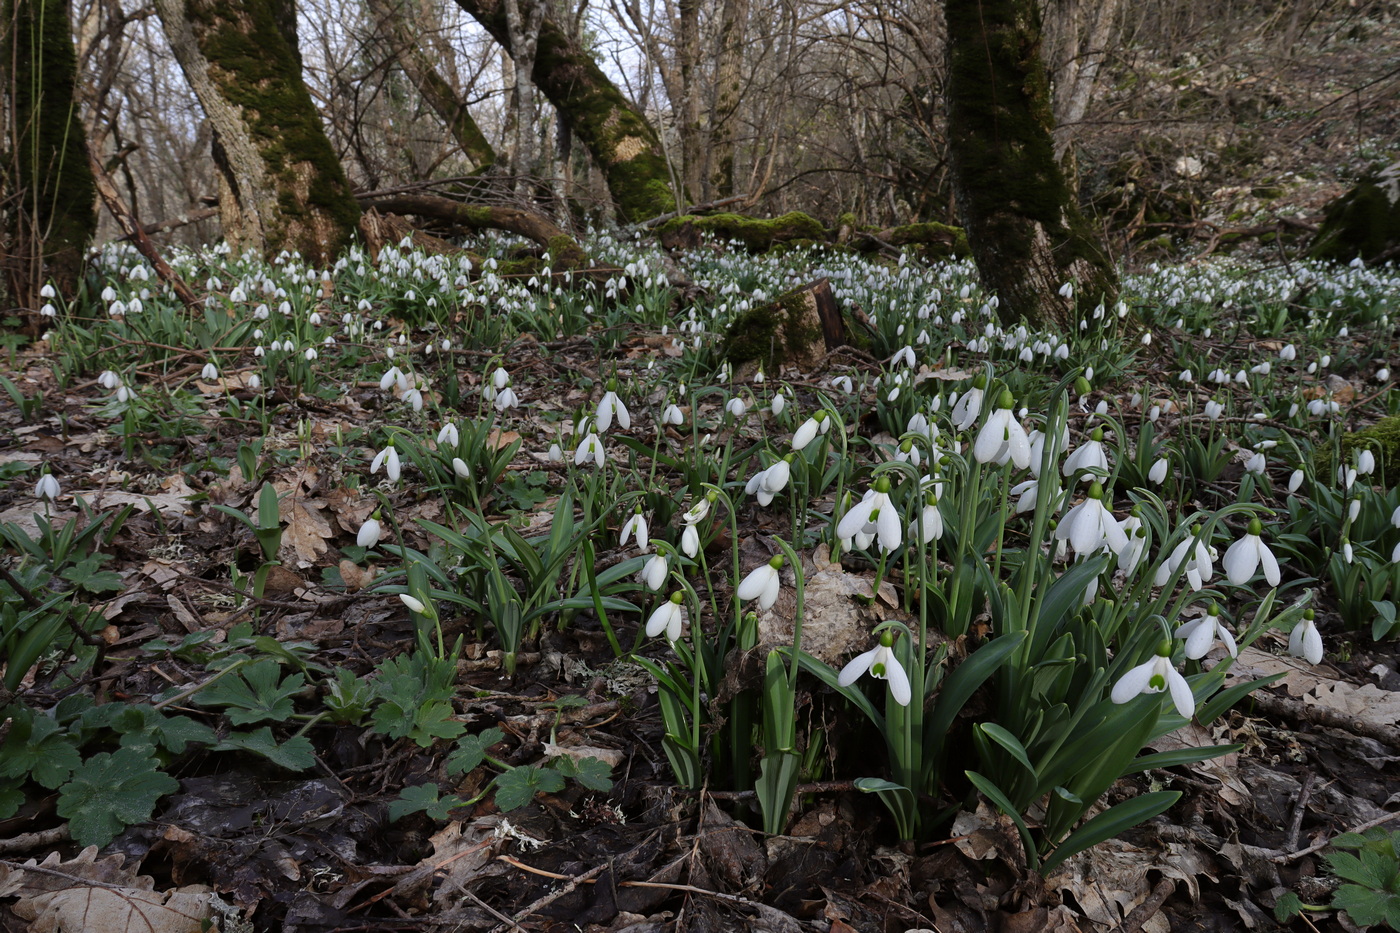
<point x="281" y="183"/>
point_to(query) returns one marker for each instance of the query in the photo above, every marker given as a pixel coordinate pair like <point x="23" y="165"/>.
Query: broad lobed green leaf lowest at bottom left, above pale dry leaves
<point x="111" y="792"/>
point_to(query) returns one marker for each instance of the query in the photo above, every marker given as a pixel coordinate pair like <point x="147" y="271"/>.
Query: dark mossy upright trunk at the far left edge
<point x="50" y="215"/>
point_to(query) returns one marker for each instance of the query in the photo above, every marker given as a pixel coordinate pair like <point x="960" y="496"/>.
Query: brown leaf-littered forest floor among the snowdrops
<point x="304" y="823"/>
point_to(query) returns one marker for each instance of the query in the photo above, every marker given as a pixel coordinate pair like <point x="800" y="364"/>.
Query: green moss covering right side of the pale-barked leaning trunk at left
<point x="257" y="71"/>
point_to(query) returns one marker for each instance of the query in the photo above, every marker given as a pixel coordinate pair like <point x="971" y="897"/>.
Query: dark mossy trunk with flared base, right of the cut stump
<point x="1024" y="228"/>
